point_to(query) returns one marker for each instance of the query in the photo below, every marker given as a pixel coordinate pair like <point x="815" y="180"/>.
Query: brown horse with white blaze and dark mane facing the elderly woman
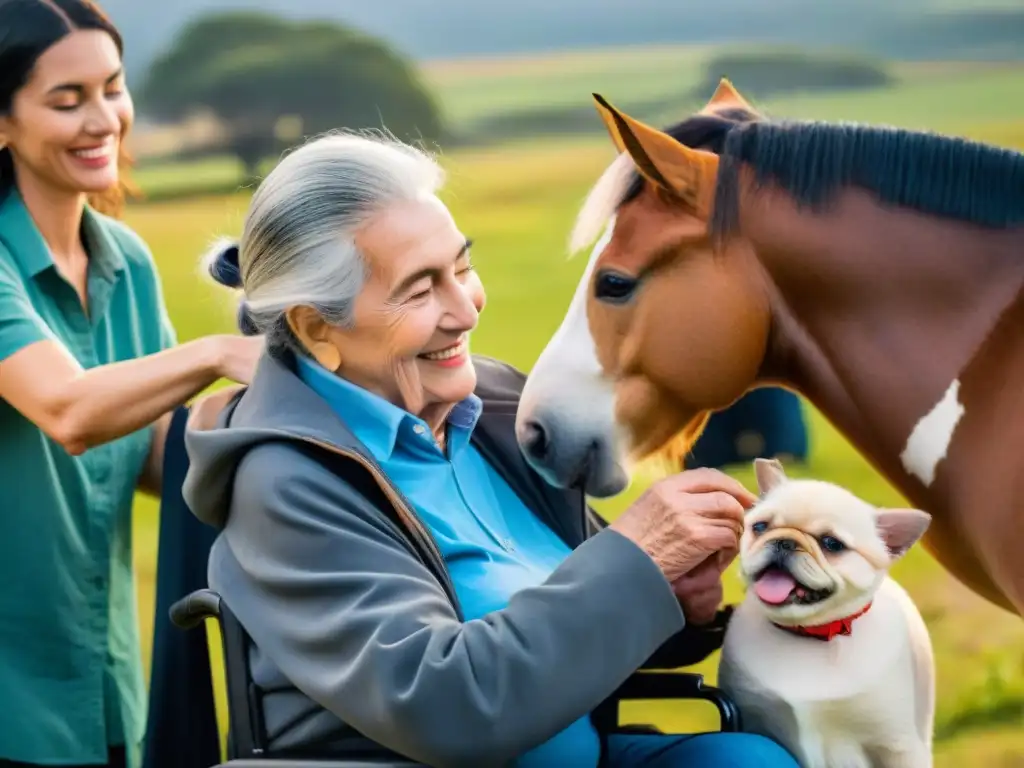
<point x="877" y="272"/>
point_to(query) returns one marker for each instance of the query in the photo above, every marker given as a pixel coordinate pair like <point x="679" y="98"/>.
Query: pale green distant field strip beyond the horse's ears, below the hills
<point x="474" y="92"/>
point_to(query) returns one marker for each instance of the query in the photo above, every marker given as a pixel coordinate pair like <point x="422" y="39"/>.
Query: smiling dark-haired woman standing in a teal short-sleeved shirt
<point x="90" y="373"/>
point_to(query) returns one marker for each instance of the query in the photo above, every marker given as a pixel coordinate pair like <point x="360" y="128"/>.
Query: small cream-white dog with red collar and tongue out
<point x="828" y="655"/>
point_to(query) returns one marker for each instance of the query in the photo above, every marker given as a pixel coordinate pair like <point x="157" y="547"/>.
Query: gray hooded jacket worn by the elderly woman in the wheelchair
<point x="360" y="645"/>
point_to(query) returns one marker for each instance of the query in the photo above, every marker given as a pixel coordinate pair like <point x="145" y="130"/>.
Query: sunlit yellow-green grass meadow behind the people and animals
<point x="519" y="201"/>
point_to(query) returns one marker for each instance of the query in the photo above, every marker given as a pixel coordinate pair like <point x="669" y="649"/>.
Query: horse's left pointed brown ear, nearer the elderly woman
<point x="691" y="175"/>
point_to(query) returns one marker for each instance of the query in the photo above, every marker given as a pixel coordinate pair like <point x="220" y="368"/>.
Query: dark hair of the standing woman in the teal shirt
<point x="29" y="29"/>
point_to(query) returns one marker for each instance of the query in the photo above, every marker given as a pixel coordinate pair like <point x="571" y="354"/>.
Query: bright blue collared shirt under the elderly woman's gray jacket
<point x="493" y="544"/>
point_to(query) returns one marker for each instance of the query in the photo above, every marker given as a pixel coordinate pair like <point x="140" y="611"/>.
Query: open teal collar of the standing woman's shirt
<point x="23" y="239"/>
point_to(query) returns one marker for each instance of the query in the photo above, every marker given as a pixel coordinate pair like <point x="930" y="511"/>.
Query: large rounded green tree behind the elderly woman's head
<point x="253" y="71"/>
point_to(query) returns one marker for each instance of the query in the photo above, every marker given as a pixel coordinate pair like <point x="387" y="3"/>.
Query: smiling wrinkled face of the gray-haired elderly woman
<point x="409" y="343"/>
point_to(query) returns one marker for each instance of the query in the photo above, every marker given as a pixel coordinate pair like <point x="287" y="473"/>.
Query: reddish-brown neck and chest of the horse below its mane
<point x="926" y="381"/>
